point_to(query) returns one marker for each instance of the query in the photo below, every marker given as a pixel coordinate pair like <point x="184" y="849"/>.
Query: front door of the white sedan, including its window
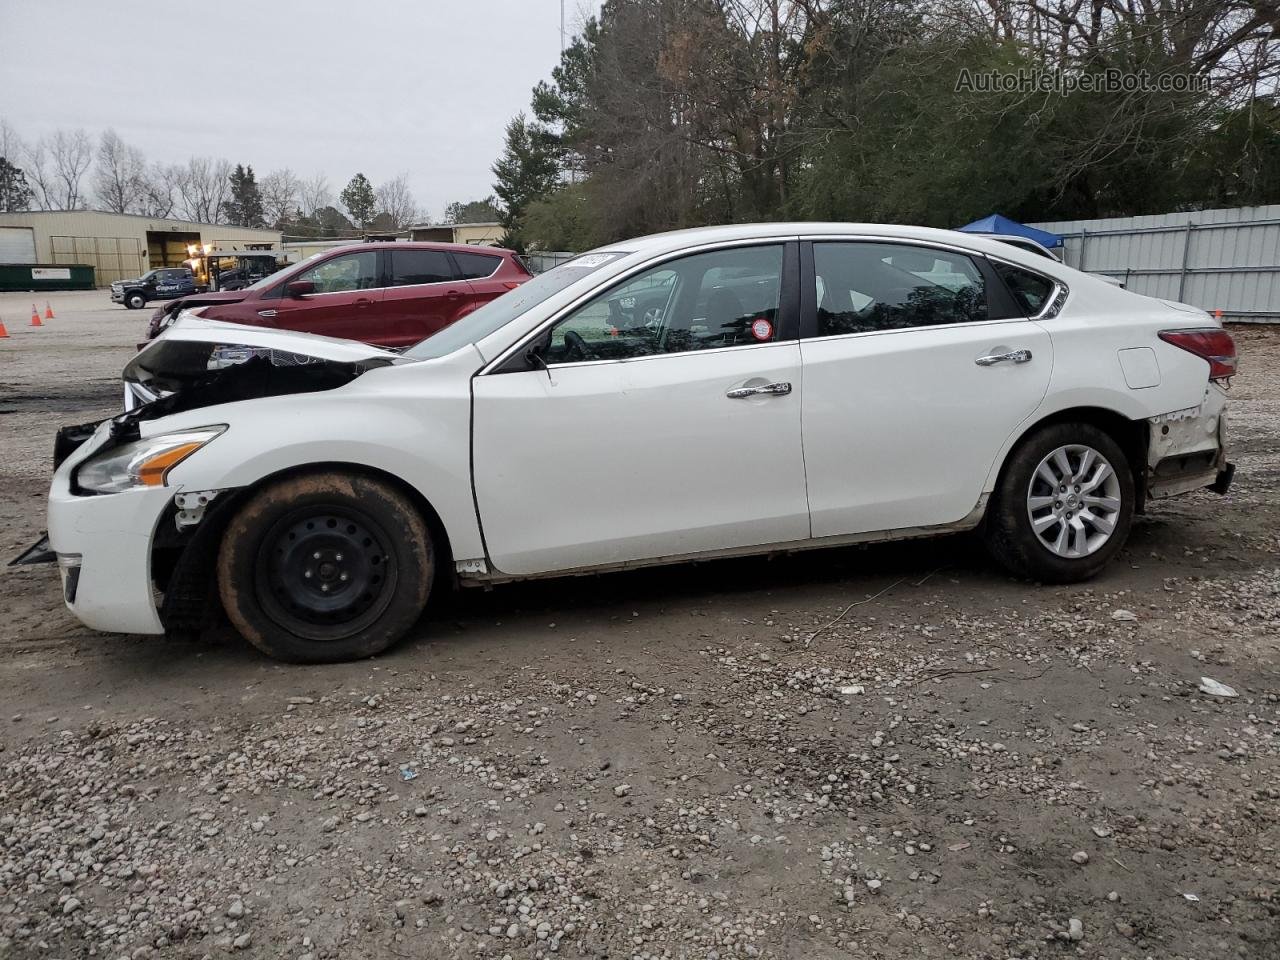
<point x="662" y="422"/>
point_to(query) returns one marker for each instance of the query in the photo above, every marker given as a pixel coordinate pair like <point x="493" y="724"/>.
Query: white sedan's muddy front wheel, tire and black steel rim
<point x="326" y="568"/>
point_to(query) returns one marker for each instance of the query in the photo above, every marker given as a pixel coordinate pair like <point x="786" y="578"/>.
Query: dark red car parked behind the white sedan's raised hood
<point x="392" y="295"/>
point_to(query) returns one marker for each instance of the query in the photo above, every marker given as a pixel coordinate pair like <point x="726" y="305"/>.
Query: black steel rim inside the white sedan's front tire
<point x="326" y="573"/>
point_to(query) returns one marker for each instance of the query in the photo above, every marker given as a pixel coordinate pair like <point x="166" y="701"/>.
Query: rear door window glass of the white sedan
<point x="867" y="287"/>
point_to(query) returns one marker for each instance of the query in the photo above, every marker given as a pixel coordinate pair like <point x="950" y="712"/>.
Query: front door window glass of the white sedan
<point x="724" y="299"/>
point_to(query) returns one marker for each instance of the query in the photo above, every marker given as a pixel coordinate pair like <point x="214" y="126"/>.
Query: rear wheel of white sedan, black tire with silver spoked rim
<point x="1064" y="505"/>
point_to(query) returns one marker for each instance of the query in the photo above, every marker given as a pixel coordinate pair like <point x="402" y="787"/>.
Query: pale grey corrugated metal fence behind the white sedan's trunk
<point x="1226" y="260"/>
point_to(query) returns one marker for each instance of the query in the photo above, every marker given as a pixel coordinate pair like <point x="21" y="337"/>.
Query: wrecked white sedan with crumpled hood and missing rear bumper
<point x="707" y="394"/>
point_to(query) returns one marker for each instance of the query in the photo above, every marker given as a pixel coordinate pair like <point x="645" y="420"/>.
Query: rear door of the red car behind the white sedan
<point x="426" y="295"/>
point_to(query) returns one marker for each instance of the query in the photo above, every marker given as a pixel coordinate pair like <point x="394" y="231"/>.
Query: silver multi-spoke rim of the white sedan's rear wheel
<point x="1075" y="501"/>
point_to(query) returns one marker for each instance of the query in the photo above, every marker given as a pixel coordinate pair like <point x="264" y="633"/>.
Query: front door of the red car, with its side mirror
<point x="348" y="292"/>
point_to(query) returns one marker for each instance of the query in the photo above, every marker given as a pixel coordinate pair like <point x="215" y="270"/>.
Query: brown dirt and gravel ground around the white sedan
<point x="698" y="762"/>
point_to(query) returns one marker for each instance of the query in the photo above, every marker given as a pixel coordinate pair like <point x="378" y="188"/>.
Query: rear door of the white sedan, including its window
<point x="918" y="365"/>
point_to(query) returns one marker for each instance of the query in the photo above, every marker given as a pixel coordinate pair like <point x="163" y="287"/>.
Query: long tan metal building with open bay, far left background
<point x="118" y="246"/>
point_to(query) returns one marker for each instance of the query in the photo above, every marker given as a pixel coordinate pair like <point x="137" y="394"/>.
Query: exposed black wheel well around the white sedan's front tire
<point x="191" y="597"/>
